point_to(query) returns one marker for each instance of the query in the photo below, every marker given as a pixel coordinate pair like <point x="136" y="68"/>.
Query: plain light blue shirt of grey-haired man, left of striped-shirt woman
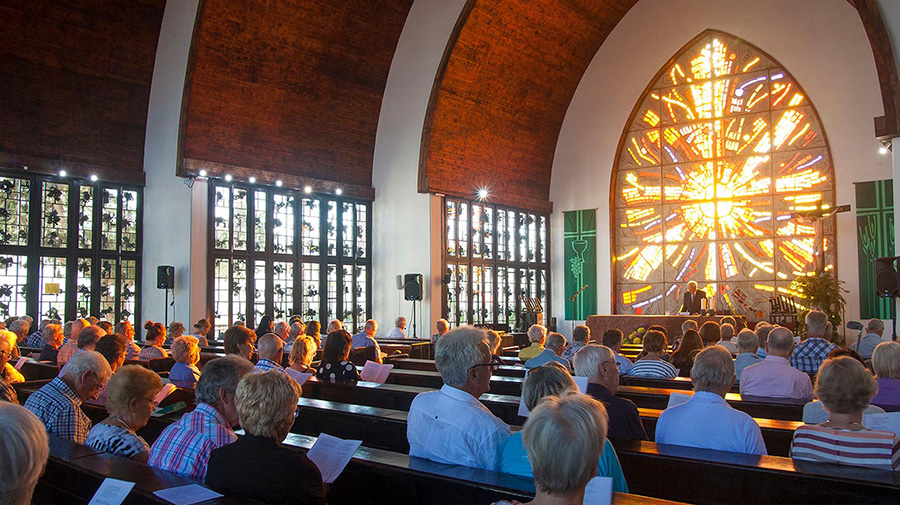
<point x="706" y="421"/>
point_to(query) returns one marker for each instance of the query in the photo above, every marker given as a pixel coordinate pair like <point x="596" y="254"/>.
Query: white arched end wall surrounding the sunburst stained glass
<point x="822" y="43"/>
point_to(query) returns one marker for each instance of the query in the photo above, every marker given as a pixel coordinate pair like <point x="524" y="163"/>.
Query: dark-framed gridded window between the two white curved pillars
<point x="280" y="252"/>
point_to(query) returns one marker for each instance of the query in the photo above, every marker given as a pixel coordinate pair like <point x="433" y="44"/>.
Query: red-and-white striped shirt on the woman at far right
<point x="874" y="449"/>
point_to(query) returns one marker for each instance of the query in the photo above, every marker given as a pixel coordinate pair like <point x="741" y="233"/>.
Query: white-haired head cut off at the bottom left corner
<point x="24" y="451"/>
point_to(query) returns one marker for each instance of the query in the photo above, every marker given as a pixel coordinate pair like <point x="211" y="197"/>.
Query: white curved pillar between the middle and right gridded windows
<point x="402" y="221"/>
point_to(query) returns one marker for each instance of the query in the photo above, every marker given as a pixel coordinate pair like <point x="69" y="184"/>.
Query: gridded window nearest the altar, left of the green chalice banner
<point x="493" y="258"/>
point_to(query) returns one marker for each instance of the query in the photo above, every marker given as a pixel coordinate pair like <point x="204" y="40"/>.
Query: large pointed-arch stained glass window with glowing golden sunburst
<point x="723" y="150"/>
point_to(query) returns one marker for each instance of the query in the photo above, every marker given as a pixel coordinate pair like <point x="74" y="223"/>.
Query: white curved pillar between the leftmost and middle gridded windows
<point x="167" y="201"/>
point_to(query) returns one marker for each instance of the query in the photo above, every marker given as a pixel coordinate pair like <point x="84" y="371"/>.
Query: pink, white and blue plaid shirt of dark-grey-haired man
<point x="184" y="447"/>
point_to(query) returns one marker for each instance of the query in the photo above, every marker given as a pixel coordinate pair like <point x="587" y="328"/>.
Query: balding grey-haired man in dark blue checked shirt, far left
<point x="58" y="403"/>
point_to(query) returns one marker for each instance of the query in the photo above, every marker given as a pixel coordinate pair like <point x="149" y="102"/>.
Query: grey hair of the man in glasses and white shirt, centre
<point x="458" y="351"/>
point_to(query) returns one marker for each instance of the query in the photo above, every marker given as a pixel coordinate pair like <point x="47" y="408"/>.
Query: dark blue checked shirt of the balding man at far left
<point x="59" y="408"/>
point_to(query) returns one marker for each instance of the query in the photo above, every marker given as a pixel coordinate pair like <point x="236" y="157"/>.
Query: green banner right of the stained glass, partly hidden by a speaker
<point x="875" y="239"/>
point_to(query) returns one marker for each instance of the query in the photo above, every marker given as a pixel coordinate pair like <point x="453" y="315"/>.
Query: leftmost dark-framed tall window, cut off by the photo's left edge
<point x="69" y="248"/>
